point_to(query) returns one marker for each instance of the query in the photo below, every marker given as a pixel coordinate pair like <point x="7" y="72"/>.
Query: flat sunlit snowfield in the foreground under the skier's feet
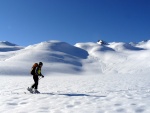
<point x="77" y="94"/>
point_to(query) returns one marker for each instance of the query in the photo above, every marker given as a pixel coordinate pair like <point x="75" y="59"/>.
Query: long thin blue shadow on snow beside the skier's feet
<point x="73" y="94"/>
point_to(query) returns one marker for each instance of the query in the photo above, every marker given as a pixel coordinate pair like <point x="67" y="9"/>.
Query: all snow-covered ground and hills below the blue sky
<point x="84" y="78"/>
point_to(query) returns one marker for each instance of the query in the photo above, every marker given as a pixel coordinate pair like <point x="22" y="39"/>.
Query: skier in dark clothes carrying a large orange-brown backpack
<point x="36" y="72"/>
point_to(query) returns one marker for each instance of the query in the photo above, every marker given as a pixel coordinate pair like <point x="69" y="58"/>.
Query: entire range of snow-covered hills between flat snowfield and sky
<point x="61" y="57"/>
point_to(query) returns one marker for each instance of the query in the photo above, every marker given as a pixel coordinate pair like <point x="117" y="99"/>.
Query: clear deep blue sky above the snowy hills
<point x="27" y="22"/>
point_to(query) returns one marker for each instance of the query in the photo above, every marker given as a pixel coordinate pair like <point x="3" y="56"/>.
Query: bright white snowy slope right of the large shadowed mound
<point x="116" y="57"/>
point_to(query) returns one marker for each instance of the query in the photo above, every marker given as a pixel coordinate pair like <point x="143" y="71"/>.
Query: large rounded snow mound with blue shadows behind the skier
<point x="57" y="57"/>
